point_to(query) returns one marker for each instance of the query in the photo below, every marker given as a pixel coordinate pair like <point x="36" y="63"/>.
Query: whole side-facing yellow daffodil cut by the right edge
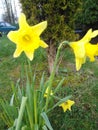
<point x="83" y="48"/>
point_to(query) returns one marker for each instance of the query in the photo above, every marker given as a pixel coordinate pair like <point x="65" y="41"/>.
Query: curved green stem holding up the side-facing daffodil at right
<point x="53" y="74"/>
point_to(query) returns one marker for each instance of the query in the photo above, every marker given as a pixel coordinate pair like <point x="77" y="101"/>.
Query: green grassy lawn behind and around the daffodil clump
<point x="83" y="85"/>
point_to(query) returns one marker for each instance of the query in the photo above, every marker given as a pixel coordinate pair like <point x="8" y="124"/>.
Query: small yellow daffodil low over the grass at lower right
<point x="67" y="105"/>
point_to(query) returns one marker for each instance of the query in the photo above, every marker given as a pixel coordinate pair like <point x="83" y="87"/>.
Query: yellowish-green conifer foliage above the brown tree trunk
<point x="59" y="14"/>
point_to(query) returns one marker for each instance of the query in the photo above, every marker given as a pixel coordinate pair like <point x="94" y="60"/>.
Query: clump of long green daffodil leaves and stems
<point x="29" y="101"/>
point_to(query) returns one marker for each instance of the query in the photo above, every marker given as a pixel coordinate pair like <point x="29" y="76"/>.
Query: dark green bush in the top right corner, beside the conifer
<point x="87" y="17"/>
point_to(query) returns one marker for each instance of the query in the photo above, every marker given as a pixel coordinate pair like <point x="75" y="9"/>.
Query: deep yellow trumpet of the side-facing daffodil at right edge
<point x="91" y="51"/>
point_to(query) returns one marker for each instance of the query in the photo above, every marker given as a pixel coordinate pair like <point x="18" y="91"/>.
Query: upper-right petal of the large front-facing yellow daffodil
<point x="39" y="28"/>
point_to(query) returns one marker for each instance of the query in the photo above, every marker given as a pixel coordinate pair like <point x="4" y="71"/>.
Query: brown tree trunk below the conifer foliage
<point x="51" y="52"/>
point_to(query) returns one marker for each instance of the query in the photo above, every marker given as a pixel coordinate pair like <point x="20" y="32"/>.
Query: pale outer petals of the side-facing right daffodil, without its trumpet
<point x="79" y="48"/>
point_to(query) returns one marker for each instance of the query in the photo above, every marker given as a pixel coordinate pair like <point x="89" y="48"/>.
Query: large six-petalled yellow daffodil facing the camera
<point x="27" y="38"/>
